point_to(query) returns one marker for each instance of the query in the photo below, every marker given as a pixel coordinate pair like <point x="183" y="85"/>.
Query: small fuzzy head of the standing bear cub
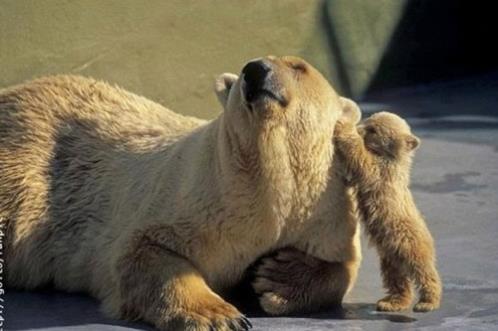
<point x="388" y="135"/>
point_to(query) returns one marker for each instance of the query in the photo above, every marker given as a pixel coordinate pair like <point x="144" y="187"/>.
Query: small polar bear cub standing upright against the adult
<point x="377" y="157"/>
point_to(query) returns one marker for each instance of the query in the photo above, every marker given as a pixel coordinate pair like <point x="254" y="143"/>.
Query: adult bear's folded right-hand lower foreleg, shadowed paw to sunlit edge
<point x="292" y="281"/>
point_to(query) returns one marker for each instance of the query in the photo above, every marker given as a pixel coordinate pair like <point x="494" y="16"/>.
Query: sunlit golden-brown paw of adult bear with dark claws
<point x="208" y="316"/>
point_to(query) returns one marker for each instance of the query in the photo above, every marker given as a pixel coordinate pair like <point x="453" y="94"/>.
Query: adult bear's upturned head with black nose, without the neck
<point x="280" y="101"/>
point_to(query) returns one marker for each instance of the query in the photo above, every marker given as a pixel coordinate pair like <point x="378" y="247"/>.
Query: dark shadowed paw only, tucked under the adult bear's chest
<point x="282" y="280"/>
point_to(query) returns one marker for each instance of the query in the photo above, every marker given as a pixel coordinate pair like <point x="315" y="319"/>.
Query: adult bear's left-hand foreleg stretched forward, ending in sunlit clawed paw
<point x="163" y="288"/>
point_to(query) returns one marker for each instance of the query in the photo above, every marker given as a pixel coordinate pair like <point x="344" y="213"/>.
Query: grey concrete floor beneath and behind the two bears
<point x="455" y="183"/>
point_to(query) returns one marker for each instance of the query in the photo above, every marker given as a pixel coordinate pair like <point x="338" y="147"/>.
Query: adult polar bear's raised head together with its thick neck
<point x="278" y="123"/>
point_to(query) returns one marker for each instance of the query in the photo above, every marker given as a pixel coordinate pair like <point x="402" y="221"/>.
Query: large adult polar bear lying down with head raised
<point x="154" y="213"/>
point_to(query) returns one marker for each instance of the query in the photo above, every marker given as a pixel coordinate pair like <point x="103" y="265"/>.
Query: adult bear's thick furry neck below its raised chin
<point x="282" y="181"/>
